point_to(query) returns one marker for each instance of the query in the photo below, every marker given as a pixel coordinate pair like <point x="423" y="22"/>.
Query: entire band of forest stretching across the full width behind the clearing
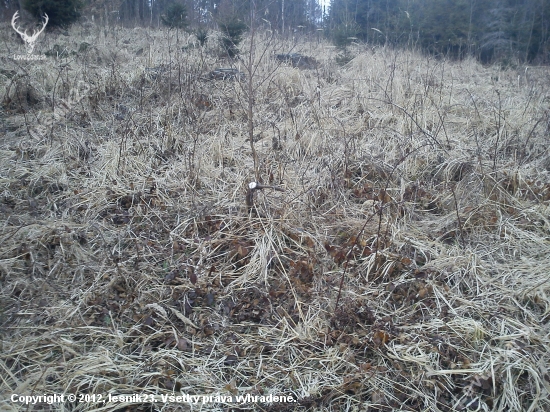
<point x="505" y="31"/>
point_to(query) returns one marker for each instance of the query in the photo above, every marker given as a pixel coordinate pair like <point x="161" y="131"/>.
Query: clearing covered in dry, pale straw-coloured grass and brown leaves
<point x="131" y="265"/>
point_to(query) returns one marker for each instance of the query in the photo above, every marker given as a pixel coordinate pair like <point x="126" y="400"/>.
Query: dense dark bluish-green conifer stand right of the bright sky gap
<point x="503" y="31"/>
